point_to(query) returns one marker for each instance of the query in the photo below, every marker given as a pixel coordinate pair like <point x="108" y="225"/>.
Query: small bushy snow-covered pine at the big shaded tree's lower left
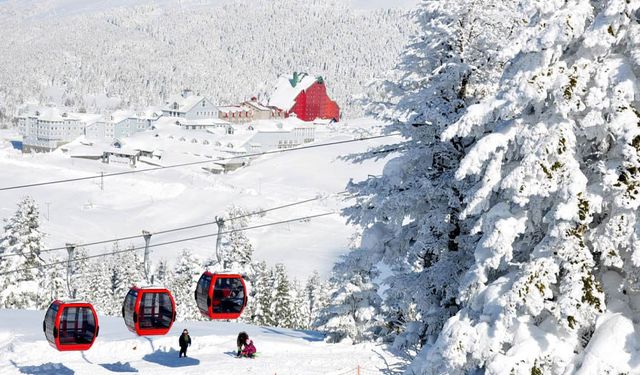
<point x="353" y="312"/>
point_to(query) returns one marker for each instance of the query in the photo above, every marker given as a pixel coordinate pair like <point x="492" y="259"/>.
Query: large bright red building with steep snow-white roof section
<point x="305" y="96"/>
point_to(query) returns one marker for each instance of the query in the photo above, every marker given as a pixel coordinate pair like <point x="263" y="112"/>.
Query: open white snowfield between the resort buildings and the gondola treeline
<point x="81" y="212"/>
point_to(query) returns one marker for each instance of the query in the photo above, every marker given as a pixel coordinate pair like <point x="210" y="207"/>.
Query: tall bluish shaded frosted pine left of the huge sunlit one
<point x="411" y="212"/>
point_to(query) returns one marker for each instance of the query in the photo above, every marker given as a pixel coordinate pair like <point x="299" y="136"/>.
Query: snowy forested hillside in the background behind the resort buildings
<point x="83" y="53"/>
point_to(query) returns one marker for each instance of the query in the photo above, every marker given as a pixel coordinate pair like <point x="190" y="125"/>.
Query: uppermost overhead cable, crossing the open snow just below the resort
<point x="102" y="175"/>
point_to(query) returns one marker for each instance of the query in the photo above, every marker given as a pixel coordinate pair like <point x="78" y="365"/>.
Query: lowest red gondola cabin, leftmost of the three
<point x="71" y="325"/>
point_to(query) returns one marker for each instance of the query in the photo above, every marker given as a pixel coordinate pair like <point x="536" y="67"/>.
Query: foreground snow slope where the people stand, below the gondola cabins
<point x="24" y="350"/>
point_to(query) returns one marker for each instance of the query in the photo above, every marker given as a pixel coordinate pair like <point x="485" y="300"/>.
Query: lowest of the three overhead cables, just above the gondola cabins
<point x="66" y="262"/>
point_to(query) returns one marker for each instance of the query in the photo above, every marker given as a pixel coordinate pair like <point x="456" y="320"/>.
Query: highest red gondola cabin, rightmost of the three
<point x="221" y="295"/>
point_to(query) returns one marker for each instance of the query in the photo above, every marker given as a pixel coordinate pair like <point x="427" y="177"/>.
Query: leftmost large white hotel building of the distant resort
<point x="48" y="128"/>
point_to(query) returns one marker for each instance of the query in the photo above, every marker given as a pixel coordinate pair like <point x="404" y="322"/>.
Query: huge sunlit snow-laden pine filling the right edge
<point x="554" y="157"/>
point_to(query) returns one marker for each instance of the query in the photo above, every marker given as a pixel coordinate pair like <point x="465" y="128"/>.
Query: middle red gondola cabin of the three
<point x="149" y="311"/>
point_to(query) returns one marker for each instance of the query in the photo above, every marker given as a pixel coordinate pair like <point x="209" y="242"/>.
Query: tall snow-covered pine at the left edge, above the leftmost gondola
<point x="21" y="243"/>
